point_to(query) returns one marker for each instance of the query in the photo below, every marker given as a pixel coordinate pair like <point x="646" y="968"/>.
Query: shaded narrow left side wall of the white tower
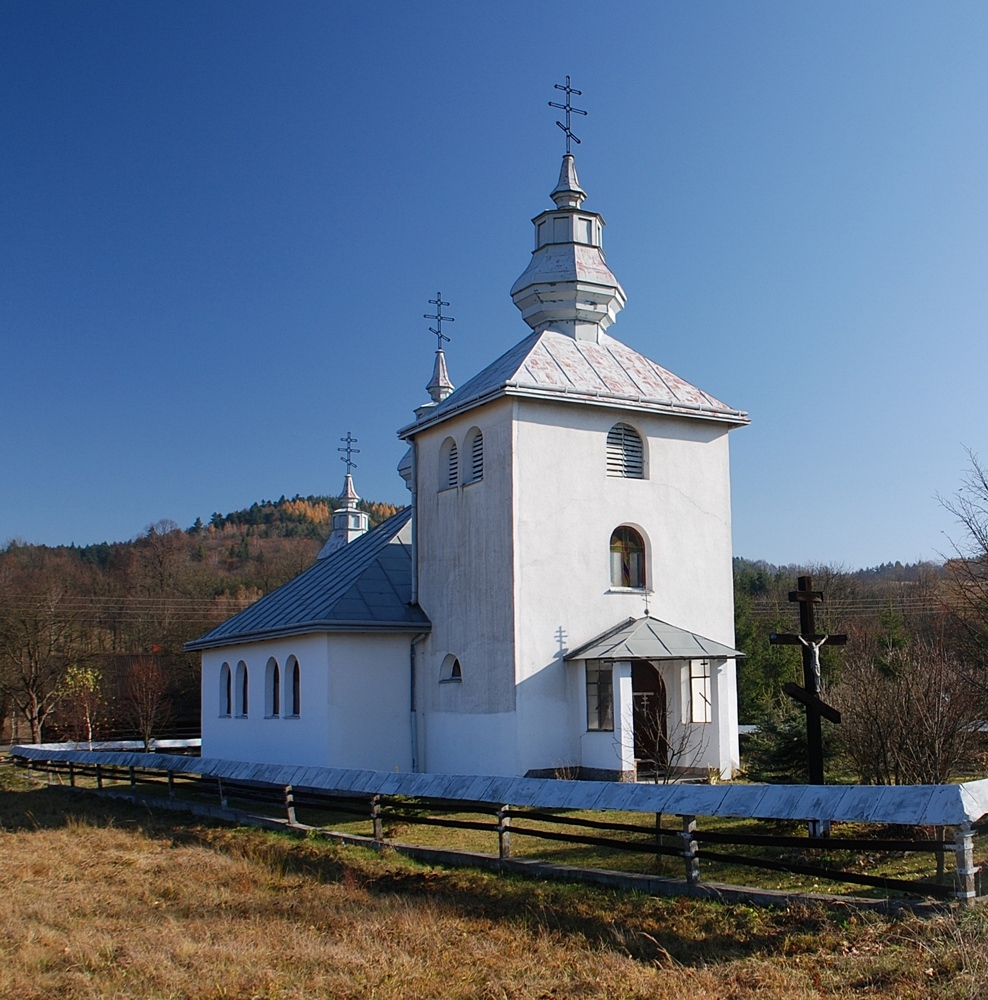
<point x="464" y="541"/>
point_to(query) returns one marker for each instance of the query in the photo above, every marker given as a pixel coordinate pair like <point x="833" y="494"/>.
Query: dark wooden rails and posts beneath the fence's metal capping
<point x="507" y="821"/>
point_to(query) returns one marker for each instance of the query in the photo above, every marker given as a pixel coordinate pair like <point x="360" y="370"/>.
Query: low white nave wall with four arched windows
<point x="355" y="703"/>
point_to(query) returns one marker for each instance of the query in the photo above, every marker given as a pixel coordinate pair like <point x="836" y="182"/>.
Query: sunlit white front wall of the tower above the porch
<point x="565" y="509"/>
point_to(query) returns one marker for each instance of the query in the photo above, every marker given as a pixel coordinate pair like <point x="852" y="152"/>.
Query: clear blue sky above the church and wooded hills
<point x="222" y="223"/>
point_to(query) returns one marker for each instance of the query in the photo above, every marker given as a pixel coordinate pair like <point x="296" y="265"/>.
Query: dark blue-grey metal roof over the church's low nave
<point x="362" y="587"/>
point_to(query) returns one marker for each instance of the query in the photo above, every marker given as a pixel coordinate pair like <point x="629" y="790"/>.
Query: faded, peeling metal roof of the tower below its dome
<point x="608" y="373"/>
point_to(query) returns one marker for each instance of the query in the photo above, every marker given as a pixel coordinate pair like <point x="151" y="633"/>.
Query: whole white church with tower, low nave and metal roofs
<point x="557" y="597"/>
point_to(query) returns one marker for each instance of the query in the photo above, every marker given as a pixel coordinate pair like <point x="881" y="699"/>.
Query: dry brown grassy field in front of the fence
<point x="106" y="900"/>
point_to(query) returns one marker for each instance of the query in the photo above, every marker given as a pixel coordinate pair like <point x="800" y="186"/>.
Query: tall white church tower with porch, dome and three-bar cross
<point x="571" y="489"/>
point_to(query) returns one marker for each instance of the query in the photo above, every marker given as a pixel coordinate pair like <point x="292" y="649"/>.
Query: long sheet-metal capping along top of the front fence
<point x="913" y="805"/>
